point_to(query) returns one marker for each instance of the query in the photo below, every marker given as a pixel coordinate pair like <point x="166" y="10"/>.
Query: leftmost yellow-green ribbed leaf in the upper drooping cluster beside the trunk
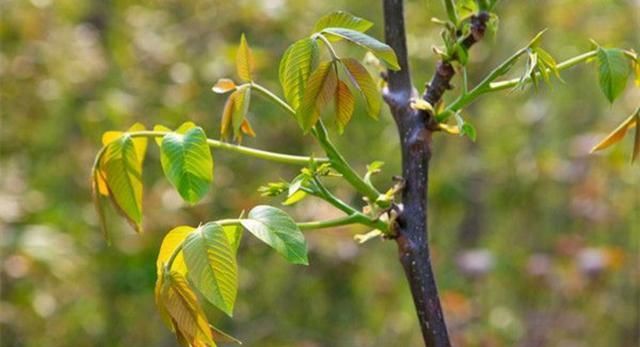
<point x="295" y="67"/>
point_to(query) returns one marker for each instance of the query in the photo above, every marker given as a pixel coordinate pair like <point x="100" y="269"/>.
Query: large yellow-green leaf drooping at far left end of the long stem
<point x="123" y="170"/>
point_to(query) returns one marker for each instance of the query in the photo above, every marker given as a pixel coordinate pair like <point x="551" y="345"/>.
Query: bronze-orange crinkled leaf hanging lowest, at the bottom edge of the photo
<point x="181" y="304"/>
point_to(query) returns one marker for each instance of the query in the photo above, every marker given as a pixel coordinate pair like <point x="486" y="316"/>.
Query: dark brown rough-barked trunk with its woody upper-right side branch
<point x="415" y="129"/>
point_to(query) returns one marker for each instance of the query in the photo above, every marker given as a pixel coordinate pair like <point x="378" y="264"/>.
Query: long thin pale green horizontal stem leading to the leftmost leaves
<point x="252" y="152"/>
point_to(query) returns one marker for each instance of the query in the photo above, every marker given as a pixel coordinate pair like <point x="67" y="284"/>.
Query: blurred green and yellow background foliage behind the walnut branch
<point x="535" y="242"/>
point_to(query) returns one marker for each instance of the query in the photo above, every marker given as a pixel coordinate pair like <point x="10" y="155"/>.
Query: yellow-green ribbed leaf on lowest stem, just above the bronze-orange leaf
<point x="211" y="263"/>
